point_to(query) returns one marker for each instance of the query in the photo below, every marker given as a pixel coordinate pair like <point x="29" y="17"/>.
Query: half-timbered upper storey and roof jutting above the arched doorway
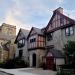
<point x="36" y="39"/>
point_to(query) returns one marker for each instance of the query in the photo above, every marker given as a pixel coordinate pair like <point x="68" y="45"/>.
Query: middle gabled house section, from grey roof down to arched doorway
<point x="36" y="46"/>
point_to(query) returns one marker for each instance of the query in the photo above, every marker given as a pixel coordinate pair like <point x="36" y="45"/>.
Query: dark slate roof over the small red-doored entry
<point x="56" y="53"/>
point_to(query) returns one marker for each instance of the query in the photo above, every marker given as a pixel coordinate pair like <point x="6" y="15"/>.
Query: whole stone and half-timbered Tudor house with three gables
<point x="46" y="44"/>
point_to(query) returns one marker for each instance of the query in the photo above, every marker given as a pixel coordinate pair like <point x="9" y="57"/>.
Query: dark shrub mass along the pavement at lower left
<point x="14" y="63"/>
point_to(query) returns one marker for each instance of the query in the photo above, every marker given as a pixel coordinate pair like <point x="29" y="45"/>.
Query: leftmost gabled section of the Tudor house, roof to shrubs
<point x="21" y="41"/>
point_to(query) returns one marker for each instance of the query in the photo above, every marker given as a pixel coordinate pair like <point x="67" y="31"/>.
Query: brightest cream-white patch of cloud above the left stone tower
<point x="9" y="19"/>
